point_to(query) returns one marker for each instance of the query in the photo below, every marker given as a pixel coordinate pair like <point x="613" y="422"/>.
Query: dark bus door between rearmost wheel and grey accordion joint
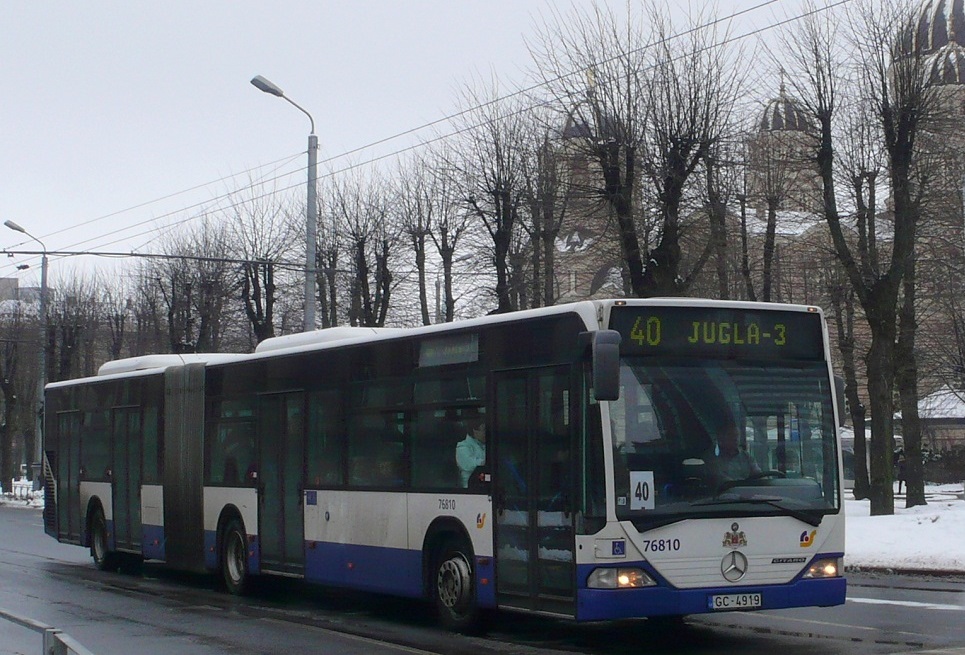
<point x="126" y="476"/>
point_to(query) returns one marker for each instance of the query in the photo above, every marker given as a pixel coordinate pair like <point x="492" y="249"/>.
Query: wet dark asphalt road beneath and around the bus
<point x="155" y="611"/>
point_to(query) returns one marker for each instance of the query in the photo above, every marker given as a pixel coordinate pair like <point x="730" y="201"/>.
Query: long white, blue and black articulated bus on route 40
<point x="331" y="456"/>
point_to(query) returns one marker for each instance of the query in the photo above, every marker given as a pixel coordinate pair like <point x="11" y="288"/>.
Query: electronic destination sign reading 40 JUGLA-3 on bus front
<point x="727" y="333"/>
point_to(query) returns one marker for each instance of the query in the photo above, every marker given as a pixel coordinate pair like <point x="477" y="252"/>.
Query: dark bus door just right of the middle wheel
<point x="280" y="474"/>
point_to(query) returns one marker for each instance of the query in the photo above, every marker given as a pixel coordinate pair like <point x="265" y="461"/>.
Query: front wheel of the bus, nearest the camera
<point x="454" y="588"/>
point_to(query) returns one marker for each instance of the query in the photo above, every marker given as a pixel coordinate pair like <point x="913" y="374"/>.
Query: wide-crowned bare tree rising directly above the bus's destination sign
<point x="656" y="105"/>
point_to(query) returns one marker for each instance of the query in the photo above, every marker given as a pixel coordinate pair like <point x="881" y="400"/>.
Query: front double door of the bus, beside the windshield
<point x="534" y="490"/>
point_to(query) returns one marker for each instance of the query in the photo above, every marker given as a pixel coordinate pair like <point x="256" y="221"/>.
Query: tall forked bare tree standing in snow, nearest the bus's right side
<point x="899" y="93"/>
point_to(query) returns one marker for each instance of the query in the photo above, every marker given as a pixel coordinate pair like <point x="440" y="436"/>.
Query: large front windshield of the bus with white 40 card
<point x="708" y="438"/>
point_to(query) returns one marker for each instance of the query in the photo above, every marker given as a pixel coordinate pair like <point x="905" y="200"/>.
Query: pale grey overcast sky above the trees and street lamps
<point x="107" y="107"/>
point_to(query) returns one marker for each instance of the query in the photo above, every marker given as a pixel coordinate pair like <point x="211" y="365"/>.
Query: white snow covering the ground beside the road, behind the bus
<point x="928" y="538"/>
